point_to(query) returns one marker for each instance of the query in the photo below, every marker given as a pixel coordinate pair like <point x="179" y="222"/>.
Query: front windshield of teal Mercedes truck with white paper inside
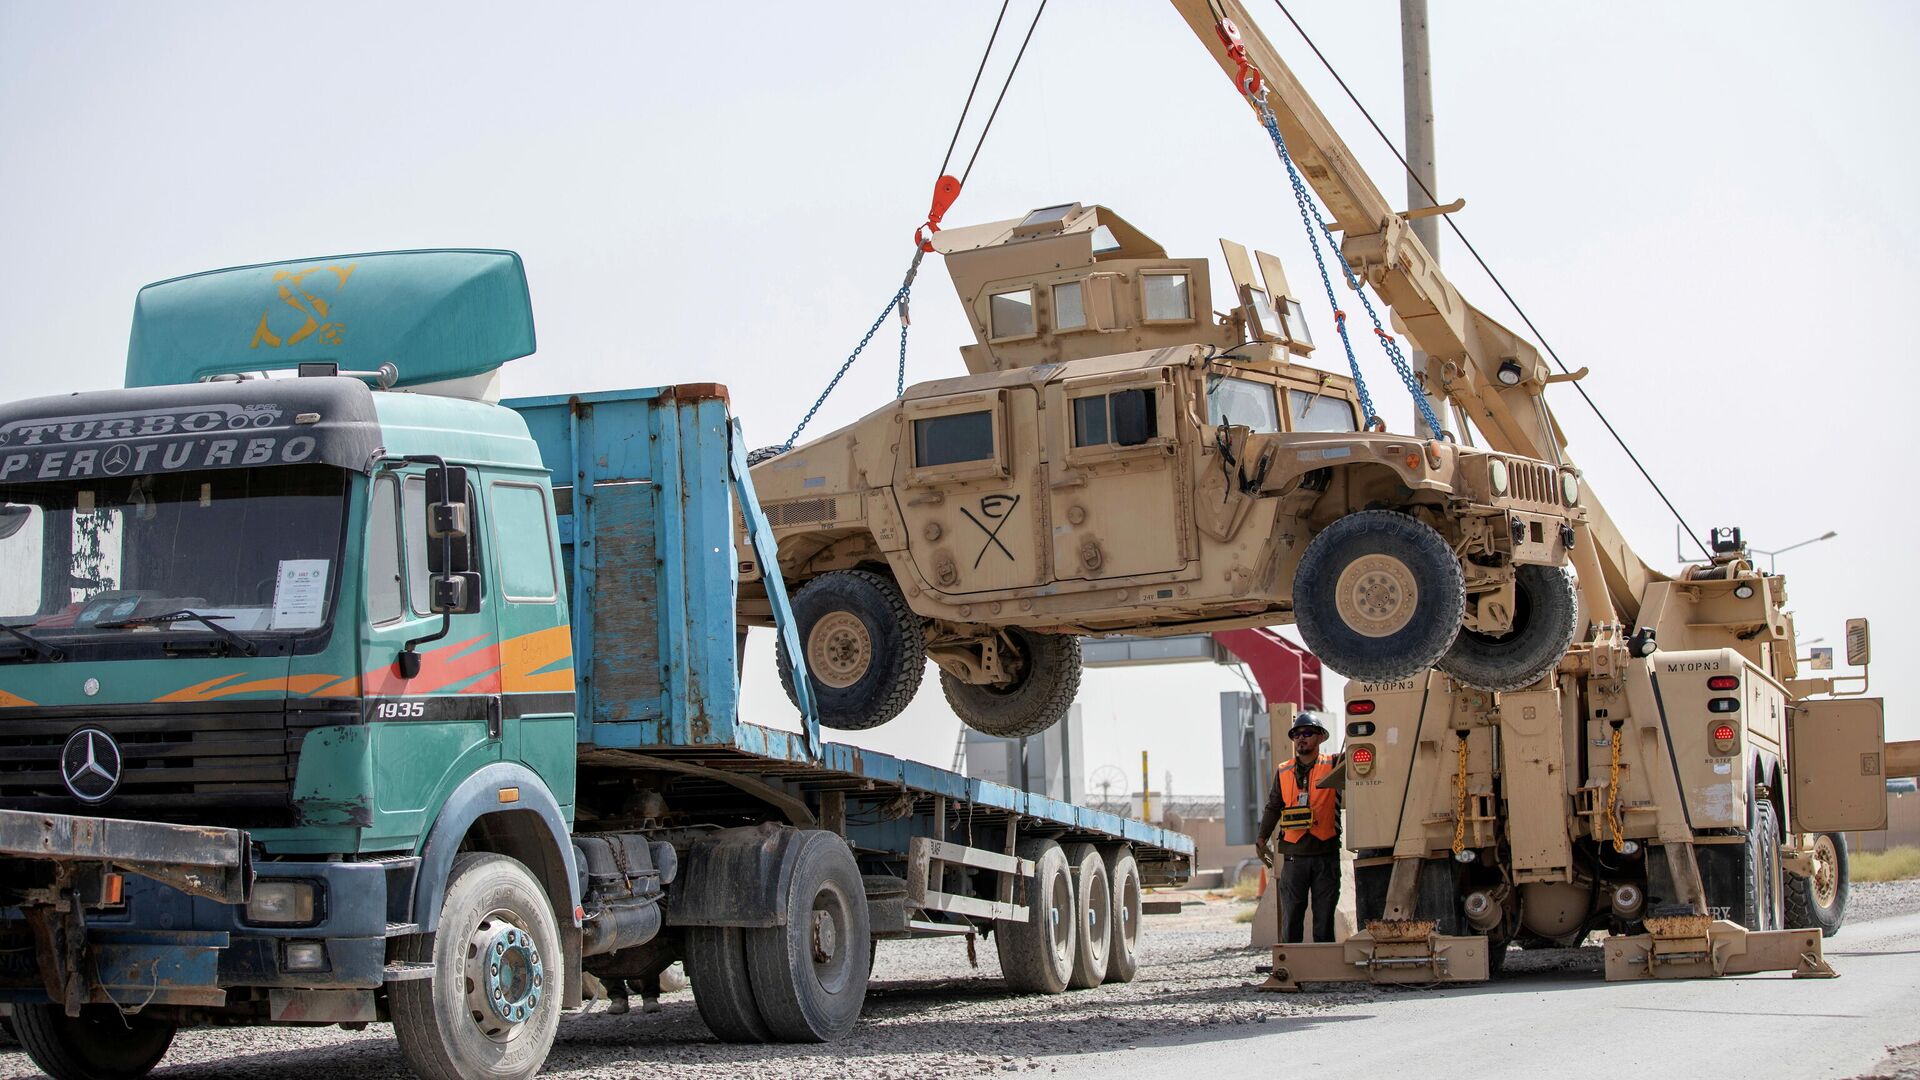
<point x="254" y="551"/>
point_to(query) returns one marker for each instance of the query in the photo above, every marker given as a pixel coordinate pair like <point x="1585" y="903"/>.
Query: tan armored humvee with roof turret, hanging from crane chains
<point x="1122" y="460"/>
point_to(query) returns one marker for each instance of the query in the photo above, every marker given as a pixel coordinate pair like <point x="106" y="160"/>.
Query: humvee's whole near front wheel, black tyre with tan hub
<point x="1380" y="597"/>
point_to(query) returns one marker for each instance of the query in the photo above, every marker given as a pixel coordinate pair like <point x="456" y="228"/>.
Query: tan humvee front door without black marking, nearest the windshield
<point x="1113" y="479"/>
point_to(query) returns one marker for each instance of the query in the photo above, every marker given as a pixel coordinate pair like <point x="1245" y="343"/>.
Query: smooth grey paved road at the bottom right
<point x="1577" y="1027"/>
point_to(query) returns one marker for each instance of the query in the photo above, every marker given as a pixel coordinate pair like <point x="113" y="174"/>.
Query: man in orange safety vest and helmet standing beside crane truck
<point x="1308" y="818"/>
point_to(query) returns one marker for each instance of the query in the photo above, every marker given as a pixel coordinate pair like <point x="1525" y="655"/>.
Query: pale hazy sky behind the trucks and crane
<point x="1708" y="205"/>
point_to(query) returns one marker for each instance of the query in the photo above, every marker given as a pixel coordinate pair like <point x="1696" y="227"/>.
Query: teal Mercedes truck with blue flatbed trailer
<point x="352" y="695"/>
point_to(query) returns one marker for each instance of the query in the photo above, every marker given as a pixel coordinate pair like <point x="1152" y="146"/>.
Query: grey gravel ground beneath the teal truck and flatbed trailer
<point x="928" y="1016"/>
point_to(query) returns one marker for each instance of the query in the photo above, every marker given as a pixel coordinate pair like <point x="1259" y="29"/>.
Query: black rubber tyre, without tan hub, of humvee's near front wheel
<point x="1437" y="608"/>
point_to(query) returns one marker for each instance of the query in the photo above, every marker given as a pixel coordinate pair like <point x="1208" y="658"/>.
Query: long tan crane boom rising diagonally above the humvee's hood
<point x="1466" y="349"/>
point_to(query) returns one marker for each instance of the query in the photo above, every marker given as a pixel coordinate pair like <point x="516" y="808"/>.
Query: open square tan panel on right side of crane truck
<point x="1836" y="766"/>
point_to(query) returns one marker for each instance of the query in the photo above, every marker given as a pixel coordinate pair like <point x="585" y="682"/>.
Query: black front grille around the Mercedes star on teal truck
<point x="199" y="766"/>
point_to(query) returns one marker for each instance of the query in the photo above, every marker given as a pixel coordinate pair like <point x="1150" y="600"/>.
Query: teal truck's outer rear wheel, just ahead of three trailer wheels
<point x="809" y="977"/>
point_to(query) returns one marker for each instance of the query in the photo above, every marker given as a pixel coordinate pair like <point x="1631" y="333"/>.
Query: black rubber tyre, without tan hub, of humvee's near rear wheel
<point x="896" y="641"/>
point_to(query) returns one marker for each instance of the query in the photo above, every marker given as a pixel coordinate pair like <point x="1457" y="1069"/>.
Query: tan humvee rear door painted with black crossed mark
<point x="967" y="474"/>
